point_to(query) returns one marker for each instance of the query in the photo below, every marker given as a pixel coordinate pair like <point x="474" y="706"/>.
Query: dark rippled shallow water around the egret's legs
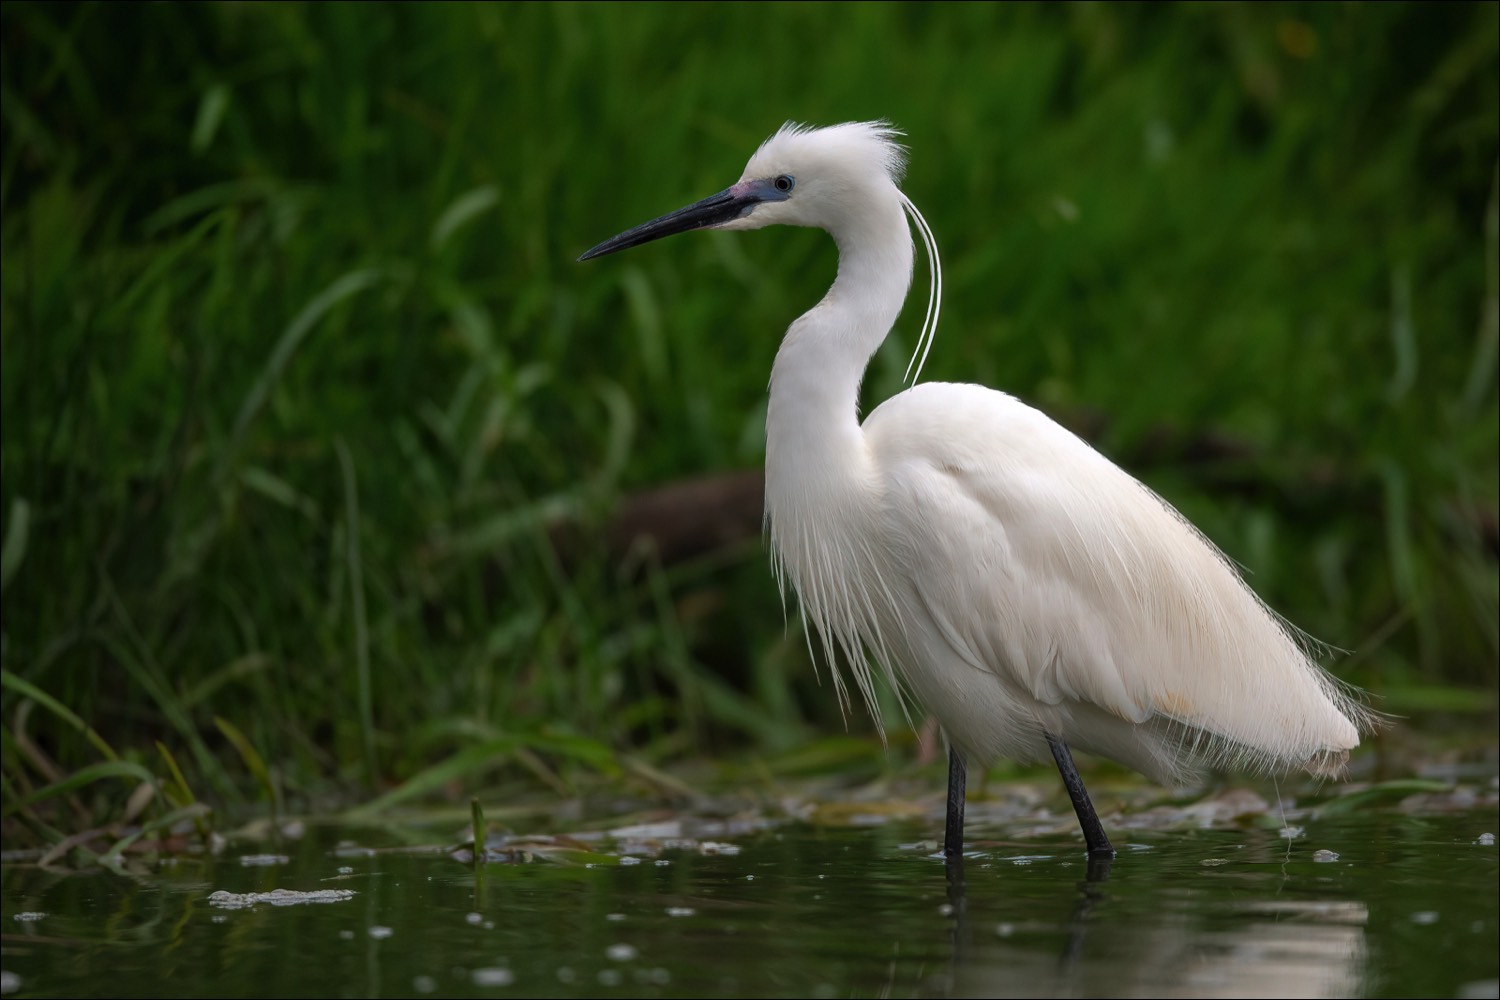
<point x="1379" y="905"/>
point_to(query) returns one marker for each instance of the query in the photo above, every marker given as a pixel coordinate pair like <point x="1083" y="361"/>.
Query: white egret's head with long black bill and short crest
<point x="800" y="176"/>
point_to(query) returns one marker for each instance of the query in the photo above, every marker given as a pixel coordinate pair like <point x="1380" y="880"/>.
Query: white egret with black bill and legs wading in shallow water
<point x="1024" y="588"/>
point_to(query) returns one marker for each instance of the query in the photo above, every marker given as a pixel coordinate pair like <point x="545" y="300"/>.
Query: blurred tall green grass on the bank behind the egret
<point x="299" y="368"/>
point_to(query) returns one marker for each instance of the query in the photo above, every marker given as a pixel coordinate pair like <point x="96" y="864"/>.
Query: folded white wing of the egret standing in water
<point x="1030" y="555"/>
